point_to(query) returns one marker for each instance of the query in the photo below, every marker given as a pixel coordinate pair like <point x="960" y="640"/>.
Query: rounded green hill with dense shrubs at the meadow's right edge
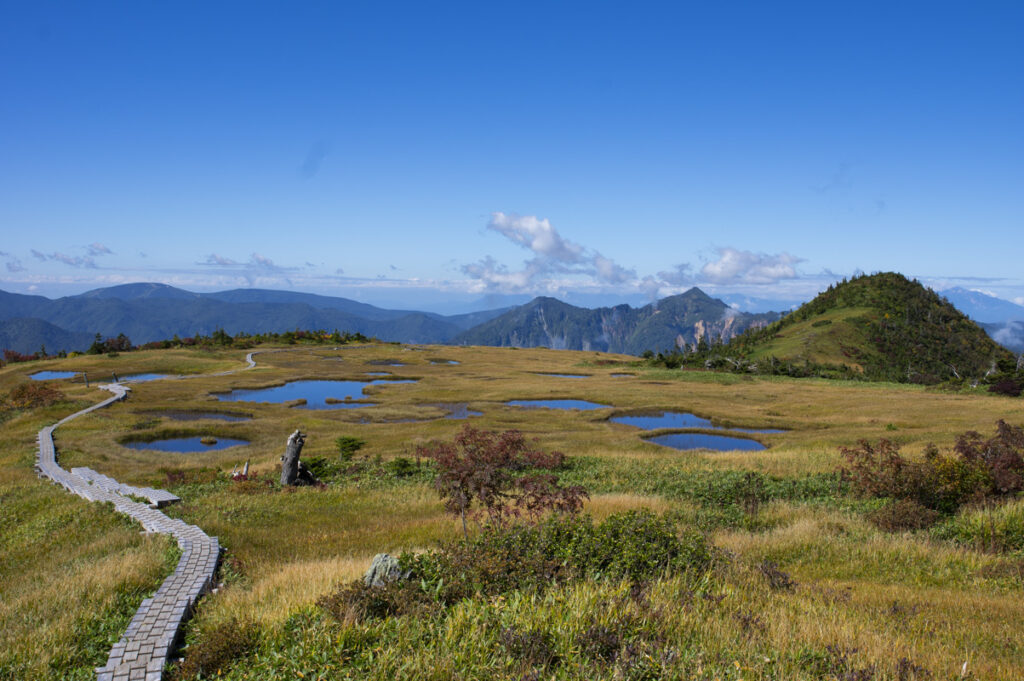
<point x="884" y="327"/>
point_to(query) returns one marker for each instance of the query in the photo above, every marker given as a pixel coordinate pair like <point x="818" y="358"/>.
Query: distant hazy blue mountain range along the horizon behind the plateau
<point x="155" y="312"/>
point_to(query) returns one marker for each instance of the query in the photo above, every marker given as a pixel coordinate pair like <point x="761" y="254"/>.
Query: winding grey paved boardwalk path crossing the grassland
<point x="153" y="634"/>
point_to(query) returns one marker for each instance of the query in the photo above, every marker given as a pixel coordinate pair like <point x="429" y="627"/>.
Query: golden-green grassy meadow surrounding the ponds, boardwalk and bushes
<point x="804" y="587"/>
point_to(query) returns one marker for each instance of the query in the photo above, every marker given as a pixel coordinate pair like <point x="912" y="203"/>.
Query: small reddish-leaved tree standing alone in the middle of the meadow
<point x="499" y="473"/>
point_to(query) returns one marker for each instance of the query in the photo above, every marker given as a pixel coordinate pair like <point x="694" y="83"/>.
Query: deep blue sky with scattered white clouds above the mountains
<point x="448" y="155"/>
